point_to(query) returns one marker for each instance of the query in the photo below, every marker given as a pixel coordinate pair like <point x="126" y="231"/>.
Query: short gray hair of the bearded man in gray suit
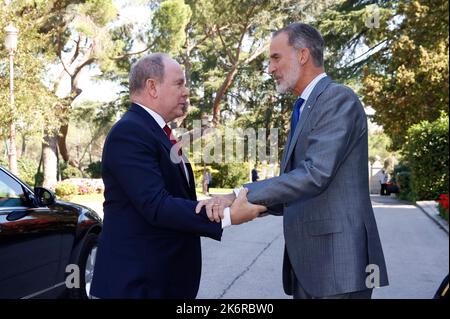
<point x="301" y="35"/>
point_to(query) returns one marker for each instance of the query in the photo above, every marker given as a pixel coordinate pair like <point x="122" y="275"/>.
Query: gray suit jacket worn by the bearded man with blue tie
<point x="323" y="193"/>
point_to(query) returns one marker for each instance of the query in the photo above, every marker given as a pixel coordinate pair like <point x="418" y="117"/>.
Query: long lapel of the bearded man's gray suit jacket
<point x="308" y="106"/>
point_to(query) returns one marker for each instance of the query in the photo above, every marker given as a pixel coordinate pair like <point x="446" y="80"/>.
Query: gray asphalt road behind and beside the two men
<point x="247" y="262"/>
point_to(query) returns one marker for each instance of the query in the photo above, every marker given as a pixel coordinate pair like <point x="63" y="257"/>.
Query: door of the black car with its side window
<point x="30" y="240"/>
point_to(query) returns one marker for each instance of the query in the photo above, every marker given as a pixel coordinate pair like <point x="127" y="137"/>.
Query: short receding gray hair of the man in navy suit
<point x="148" y="67"/>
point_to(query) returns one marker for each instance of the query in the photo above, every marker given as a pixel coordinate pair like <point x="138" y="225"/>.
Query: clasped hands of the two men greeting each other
<point x="241" y="210"/>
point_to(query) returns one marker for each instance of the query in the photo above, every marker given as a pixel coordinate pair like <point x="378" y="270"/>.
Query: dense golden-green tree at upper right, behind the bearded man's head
<point x="395" y="54"/>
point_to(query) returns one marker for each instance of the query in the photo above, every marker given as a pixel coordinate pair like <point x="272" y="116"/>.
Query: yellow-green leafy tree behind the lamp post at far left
<point x="33" y="100"/>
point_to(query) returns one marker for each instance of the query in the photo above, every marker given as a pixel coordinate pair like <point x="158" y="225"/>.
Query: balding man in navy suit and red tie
<point x="150" y="243"/>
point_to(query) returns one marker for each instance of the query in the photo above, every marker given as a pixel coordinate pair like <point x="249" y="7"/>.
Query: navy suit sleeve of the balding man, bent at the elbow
<point x="133" y="163"/>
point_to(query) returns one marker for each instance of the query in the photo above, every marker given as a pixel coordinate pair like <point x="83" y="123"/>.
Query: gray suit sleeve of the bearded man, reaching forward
<point x="338" y="128"/>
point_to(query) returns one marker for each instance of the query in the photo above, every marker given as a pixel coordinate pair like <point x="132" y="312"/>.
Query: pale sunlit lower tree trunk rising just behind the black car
<point x="50" y="161"/>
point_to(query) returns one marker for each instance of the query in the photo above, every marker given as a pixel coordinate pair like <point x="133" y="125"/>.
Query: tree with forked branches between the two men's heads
<point x="221" y="37"/>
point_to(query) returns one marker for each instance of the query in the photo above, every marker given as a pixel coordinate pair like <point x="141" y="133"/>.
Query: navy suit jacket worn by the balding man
<point x="150" y="243"/>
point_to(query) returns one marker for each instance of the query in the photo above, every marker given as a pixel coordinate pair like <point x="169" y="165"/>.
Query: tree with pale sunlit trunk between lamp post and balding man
<point x="72" y="36"/>
